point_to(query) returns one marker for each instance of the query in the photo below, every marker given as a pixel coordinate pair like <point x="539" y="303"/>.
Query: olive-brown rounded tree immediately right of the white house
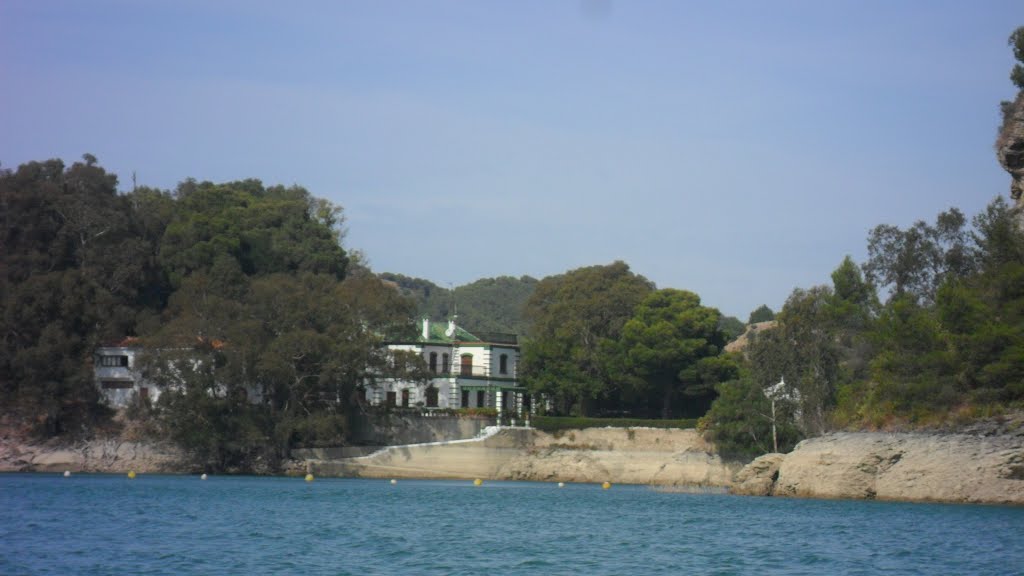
<point x="574" y="317"/>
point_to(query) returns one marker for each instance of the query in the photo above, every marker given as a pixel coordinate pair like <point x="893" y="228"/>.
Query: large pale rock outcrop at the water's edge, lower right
<point x="948" y="468"/>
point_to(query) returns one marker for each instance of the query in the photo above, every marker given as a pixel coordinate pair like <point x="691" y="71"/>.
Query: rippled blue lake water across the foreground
<point x="97" y="524"/>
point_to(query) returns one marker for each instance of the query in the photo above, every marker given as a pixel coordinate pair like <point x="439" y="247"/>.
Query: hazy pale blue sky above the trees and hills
<point x="736" y="149"/>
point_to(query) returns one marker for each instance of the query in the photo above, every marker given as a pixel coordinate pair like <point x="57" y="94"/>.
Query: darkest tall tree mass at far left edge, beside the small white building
<point x="77" y="274"/>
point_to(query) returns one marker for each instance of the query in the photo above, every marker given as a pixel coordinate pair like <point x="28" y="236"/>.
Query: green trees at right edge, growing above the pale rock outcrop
<point x="966" y="348"/>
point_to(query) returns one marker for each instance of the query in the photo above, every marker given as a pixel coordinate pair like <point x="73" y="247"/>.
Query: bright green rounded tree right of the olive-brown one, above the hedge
<point x="669" y="344"/>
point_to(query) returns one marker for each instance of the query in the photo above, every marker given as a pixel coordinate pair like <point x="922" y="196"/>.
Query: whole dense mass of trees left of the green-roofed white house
<point x="236" y="290"/>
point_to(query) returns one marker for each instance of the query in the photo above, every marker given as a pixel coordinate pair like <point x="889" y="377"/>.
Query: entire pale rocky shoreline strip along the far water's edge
<point x="983" y="466"/>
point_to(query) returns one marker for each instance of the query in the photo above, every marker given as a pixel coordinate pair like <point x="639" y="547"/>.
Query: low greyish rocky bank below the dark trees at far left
<point x="109" y="456"/>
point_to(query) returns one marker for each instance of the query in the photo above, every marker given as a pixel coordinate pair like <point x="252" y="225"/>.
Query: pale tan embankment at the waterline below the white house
<point x="666" y="458"/>
